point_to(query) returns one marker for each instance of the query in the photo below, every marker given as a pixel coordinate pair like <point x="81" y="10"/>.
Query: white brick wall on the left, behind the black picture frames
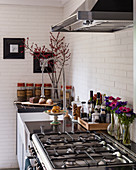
<point x="19" y="21"/>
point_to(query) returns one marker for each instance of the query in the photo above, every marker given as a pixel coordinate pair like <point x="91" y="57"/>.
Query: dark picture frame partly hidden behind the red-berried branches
<point x="36" y="63"/>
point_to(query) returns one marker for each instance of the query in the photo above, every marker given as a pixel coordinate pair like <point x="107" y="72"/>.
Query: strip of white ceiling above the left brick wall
<point x="53" y="3"/>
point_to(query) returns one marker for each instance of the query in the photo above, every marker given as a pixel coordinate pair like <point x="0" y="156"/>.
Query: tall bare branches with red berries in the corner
<point x="60" y="53"/>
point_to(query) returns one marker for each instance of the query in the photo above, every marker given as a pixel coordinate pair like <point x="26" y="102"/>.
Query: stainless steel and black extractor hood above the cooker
<point x="99" y="16"/>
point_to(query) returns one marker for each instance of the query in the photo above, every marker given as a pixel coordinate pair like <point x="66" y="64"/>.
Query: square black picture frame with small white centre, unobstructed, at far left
<point x="13" y="48"/>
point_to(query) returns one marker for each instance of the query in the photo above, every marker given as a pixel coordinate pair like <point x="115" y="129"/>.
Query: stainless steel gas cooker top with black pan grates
<point x="80" y="150"/>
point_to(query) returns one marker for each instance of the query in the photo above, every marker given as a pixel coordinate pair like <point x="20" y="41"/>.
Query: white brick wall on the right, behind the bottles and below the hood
<point x="102" y="62"/>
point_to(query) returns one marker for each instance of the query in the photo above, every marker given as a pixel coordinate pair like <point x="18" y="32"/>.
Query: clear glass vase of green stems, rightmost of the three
<point x="126" y="134"/>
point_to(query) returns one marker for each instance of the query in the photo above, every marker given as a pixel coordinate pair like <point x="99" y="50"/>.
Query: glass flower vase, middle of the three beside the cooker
<point x="118" y="129"/>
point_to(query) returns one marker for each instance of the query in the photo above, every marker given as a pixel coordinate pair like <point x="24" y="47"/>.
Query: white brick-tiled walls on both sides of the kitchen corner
<point x="102" y="62"/>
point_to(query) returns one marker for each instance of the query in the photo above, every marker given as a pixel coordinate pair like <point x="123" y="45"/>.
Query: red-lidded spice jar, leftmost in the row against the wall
<point x="21" y="95"/>
